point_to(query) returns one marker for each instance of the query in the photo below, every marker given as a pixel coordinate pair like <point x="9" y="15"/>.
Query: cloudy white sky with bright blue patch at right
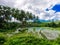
<point x="45" y="9"/>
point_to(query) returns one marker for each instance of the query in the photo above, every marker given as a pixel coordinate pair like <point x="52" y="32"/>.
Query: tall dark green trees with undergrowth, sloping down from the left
<point x="6" y="14"/>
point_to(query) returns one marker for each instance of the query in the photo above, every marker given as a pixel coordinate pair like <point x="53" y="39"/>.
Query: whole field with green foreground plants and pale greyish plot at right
<point x="41" y="37"/>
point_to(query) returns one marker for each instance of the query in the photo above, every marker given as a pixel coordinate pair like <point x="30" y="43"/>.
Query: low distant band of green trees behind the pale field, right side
<point x="44" y="24"/>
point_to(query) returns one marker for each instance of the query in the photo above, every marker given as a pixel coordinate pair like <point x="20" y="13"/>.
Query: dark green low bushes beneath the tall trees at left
<point x="9" y="25"/>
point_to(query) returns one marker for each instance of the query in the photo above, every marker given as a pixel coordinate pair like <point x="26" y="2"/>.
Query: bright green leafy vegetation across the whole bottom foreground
<point x="26" y="39"/>
